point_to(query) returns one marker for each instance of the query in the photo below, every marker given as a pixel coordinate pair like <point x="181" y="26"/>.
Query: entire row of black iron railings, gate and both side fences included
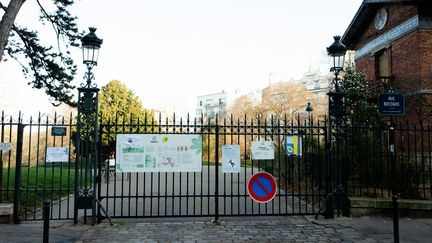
<point x="27" y="179"/>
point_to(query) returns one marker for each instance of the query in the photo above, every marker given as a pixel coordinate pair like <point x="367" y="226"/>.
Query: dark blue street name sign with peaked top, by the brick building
<point x="391" y="103"/>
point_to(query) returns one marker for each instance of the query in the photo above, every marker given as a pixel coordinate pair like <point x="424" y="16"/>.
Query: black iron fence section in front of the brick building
<point x="369" y="160"/>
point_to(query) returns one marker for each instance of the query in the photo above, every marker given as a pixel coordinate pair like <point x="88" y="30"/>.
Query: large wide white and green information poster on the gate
<point x="158" y="153"/>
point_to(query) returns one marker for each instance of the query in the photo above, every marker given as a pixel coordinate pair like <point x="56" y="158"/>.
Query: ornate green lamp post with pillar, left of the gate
<point x="87" y="131"/>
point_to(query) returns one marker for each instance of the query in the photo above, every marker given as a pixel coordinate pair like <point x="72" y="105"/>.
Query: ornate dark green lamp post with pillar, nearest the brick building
<point x="337" y="170"/>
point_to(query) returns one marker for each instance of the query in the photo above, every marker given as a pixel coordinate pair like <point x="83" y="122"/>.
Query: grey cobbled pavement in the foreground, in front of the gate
<point x="241" y="229"/>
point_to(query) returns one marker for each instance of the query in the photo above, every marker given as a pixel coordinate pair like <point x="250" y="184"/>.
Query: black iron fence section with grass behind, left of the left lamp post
<point x="24" y="169"/>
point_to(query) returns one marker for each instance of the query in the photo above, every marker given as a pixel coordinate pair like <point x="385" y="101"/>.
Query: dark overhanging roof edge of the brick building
<point x="368" y="10"/>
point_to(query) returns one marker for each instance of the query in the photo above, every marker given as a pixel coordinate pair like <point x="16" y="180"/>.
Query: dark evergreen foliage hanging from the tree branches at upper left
<point x="48" y="68"/>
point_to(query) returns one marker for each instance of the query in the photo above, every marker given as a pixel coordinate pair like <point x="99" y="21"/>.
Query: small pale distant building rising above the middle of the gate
<point x="208" y="106"/>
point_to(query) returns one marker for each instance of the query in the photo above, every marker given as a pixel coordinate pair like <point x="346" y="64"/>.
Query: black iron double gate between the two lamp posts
<point x="210" y="193"/>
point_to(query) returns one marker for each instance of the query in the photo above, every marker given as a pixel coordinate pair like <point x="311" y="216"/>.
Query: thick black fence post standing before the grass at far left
<point x="17" y="192"/>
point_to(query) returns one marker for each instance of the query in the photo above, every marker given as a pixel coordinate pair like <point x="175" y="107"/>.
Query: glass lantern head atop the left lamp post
<point x="90" y="47"/>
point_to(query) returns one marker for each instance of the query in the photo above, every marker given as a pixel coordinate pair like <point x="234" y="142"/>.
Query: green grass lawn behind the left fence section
<point x="40" y="183"/>
